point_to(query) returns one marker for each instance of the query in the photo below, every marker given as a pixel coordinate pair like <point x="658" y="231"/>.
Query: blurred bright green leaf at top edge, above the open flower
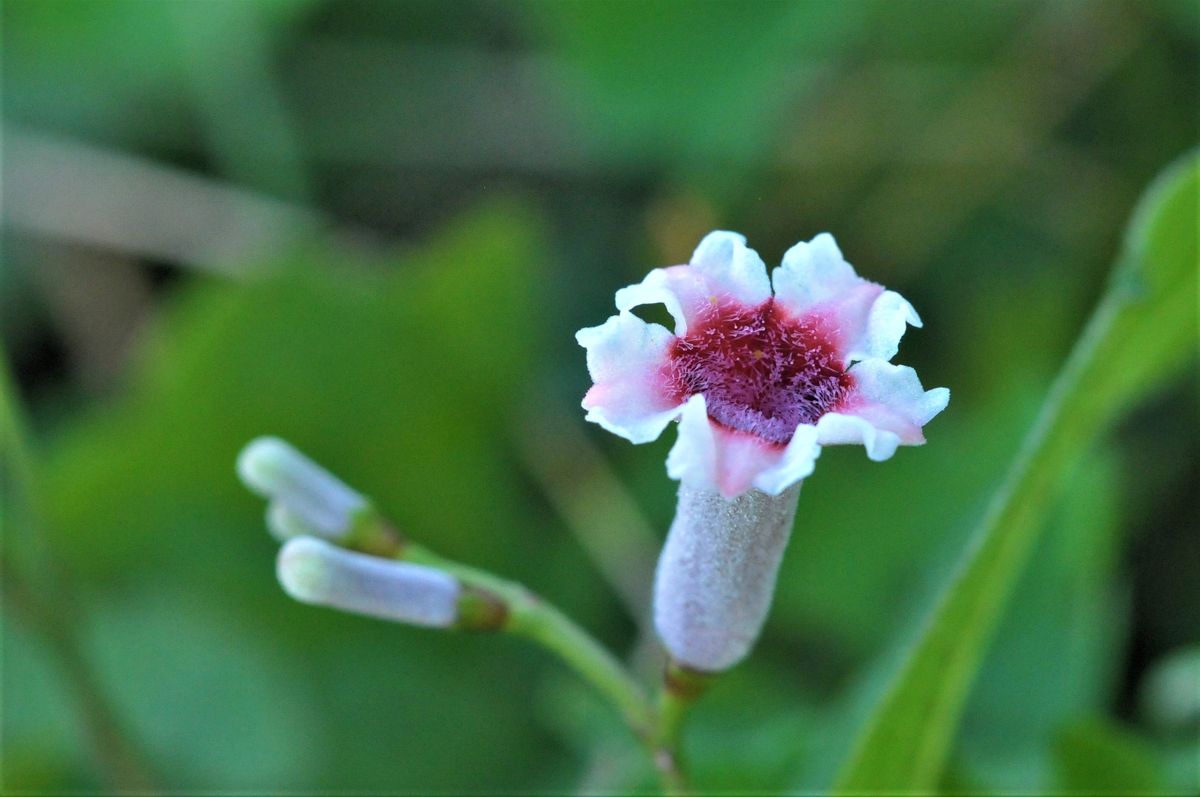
<point x="693" y="87"/>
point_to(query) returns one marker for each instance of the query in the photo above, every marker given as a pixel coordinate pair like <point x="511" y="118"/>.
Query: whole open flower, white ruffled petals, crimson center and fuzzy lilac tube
<point x="760" y="373"/>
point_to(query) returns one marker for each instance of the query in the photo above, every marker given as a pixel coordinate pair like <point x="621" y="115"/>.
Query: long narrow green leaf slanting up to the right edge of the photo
<point x="1141" y="335"/>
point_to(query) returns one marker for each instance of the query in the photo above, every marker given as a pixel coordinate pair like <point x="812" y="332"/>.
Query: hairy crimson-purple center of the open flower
<point x="760" y="370"/>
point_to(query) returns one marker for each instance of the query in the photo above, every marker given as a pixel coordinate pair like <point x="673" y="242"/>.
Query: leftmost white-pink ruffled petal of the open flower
<point x="626" y="356"/>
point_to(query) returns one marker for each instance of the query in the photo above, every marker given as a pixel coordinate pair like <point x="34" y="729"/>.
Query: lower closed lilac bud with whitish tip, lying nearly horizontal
<point x="316" y="572"/>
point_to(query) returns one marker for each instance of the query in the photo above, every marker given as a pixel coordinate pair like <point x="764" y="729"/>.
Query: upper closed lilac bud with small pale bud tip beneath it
<point x="305" y="499"/>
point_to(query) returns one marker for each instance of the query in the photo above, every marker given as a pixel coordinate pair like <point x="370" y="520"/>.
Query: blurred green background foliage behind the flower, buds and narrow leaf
<point x="373" y="229"/>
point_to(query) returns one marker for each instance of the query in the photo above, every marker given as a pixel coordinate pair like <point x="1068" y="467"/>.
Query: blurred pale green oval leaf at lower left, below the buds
<point x="183" y="670"/>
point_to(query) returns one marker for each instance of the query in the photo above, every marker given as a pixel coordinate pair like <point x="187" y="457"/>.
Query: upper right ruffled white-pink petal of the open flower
<point x="866" y="320"/>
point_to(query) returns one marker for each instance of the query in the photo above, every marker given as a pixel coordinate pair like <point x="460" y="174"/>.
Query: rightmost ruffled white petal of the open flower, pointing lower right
<point x="886" y="409"/>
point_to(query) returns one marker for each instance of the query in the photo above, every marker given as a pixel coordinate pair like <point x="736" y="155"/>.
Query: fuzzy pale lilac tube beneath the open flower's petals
<point x="717" y="573"/>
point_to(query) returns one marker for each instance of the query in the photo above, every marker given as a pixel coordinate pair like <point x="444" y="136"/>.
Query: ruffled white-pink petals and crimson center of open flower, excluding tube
<point x="759" y="379"/>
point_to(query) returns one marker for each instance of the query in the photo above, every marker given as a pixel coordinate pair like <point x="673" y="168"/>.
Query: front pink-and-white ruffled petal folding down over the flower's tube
<point x="711" y="456"/>
